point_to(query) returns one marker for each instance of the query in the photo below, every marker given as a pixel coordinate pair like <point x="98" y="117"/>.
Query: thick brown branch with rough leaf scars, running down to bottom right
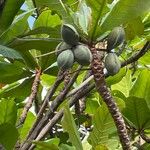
<point x="97" y="70"/>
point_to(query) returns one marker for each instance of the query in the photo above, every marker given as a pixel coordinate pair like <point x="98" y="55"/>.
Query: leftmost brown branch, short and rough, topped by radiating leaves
<point x="31" y="98"/>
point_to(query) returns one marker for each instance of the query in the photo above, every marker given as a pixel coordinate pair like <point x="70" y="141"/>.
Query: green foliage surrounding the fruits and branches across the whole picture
<point x="31" y="28"/>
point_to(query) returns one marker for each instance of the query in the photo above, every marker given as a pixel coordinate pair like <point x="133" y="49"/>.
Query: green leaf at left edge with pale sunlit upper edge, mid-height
<point x="19" y="91"/>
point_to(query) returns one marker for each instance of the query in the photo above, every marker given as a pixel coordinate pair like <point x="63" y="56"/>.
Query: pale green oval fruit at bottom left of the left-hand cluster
<point x="65" y="59"/>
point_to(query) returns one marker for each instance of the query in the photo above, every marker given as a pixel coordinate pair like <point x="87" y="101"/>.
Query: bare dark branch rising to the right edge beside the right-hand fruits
<point x="138" y="55"/>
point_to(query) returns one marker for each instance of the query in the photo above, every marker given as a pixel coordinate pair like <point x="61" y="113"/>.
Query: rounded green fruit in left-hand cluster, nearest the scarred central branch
<point x="82" y="55"/>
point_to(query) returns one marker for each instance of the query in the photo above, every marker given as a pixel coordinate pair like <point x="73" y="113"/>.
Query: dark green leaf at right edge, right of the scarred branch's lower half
<point x="137" y="113"/>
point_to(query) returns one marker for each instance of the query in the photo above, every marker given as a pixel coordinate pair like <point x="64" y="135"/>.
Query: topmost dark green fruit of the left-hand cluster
<point x="69" y="34"/>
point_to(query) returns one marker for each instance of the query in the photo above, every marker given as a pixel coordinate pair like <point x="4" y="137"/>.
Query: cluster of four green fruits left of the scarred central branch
<point x="70" y="50"/>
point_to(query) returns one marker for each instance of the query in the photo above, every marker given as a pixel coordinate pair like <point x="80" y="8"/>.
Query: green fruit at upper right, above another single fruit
<point x="115" y="38"/>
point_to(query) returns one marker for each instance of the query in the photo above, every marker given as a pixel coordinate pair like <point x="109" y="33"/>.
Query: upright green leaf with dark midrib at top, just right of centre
<point x="99" y="8"/>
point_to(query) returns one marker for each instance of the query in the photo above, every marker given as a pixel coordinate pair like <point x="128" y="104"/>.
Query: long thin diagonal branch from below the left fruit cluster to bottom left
<point x="54" y="105"/>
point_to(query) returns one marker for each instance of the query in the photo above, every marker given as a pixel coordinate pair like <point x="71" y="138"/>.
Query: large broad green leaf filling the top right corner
<point x="124" y="11"/>
